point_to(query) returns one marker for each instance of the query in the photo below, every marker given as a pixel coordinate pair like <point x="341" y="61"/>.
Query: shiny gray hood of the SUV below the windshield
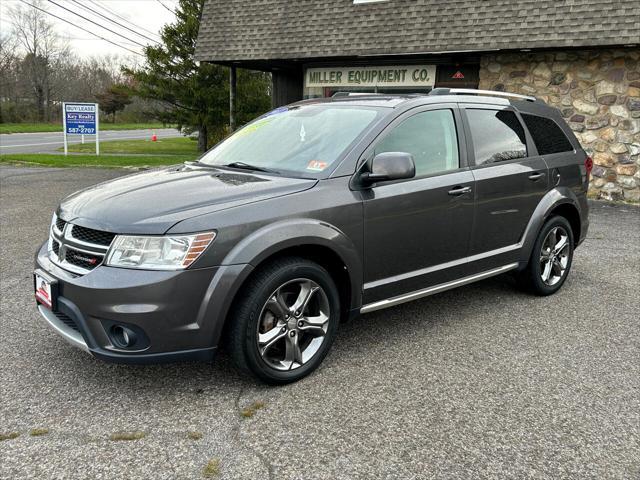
<point x="152" y="202"/>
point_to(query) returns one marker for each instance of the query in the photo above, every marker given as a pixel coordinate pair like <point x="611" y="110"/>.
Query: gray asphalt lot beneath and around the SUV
<point x="480" y="383"/>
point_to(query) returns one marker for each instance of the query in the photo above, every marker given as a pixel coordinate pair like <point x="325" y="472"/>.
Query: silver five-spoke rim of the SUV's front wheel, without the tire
<point x="293" y="324"/>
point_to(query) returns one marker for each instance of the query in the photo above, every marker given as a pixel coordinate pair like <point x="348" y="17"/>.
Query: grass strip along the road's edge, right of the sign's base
<point x="164" y="146"/>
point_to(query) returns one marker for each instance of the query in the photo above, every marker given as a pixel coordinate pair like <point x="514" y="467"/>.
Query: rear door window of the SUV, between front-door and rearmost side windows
<point x="497" y="135"/>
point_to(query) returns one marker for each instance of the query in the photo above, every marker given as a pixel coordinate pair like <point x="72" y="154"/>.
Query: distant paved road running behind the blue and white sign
<point x="51" y="142"/>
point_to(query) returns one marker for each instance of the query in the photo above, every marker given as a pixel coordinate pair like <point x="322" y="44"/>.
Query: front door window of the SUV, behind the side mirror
<point x="430" y="137"/>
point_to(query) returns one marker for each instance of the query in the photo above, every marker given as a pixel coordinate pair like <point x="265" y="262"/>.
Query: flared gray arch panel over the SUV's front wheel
<point x="260" y="245"/>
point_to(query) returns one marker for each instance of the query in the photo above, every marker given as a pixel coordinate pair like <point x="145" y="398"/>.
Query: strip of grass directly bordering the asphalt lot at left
<point x="103" y="161"/>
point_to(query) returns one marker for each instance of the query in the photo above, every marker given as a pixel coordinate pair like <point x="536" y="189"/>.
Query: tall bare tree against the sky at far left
<point x="44" y="52"/>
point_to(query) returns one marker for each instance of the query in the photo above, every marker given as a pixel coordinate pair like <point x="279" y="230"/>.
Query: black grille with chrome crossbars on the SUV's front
<point x="77" y="249"/>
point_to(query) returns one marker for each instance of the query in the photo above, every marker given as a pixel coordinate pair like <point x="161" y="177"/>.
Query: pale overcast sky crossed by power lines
<point x="146" y="16"/>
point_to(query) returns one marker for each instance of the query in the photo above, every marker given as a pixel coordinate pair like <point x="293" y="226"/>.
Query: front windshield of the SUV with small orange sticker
<point x="301" y="141"/>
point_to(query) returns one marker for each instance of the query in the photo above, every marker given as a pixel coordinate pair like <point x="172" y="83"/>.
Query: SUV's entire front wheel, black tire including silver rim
<point x="268" y="336"/>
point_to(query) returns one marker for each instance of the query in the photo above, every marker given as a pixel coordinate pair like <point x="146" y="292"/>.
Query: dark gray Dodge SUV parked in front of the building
<point x="309" y="216"/>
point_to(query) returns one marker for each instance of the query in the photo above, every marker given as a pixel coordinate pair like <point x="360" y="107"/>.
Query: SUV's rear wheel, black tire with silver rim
<point x="550" y="261"/>
